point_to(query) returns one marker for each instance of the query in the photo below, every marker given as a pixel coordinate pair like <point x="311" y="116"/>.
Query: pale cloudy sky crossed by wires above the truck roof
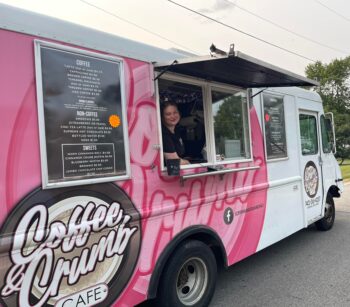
<point x="287" y="33"/>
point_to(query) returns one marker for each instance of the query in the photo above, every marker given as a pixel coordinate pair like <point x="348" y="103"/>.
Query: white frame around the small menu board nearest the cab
<point x="279" y="100"/>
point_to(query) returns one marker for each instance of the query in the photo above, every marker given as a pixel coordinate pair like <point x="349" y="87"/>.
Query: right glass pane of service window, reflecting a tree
<point x="231" y="129"/>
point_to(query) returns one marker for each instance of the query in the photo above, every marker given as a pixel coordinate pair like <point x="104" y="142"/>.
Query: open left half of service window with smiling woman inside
<point x="184" y="133"/>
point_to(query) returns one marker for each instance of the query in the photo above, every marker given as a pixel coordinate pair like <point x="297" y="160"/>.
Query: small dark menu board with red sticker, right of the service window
<point x="275" y="132"/>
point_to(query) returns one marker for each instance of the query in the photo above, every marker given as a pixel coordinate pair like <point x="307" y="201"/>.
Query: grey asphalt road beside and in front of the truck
<point x="309" y="268"/>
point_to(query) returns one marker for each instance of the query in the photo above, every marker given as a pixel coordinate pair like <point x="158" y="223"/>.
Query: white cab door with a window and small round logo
<point x="311" y="165"/>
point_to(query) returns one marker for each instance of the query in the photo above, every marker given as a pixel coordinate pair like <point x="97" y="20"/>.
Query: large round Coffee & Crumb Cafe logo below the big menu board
<point x="69" y="247"/>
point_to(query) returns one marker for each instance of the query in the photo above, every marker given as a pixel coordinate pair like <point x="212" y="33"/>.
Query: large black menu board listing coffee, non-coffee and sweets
<point x="82" y="115"/>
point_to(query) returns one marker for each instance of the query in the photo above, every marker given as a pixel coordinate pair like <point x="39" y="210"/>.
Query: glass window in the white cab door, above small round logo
<point x="308" y="134"/>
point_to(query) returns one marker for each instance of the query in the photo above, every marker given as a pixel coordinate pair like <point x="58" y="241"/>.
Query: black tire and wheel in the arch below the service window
<point x="189" y="277"/>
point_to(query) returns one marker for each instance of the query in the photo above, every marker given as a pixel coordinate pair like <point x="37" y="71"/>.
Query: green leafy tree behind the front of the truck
<point x="334" y="90"/>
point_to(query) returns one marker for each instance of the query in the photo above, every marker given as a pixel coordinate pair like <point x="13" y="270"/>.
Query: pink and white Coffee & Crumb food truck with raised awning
<point x="90" y="212"/>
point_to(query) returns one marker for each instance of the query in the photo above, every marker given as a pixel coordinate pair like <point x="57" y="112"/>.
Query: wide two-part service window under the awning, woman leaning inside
<point x="212" y="125"/>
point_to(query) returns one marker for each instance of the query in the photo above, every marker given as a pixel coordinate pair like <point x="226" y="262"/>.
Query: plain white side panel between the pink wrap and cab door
<point x="285" y="211"/>
